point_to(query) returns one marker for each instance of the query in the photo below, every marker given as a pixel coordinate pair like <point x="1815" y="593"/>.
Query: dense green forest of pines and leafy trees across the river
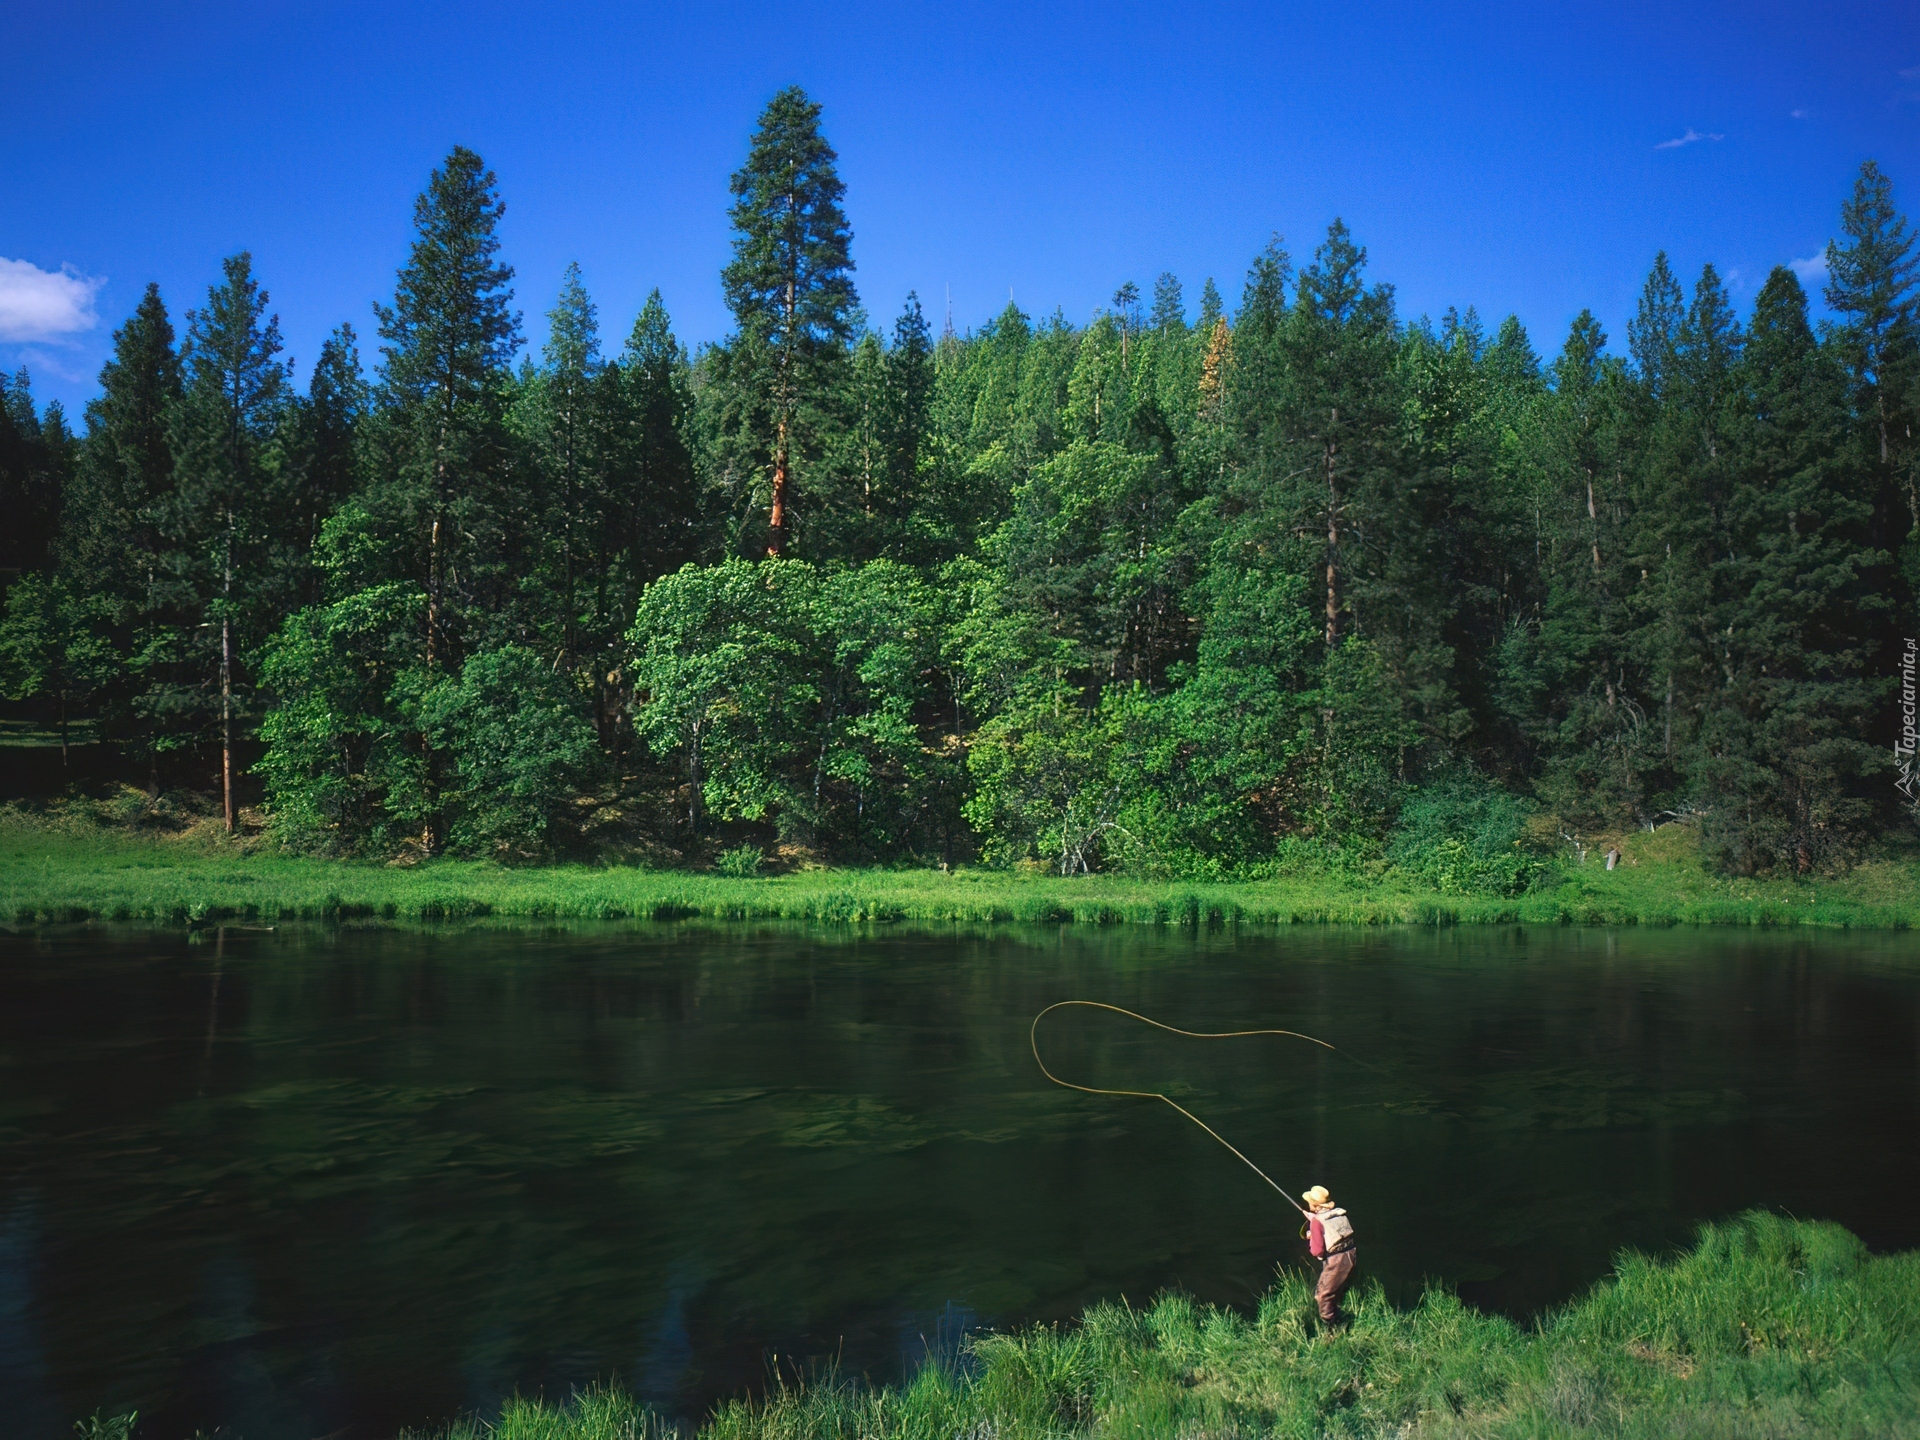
<point x="1186" y="590"/>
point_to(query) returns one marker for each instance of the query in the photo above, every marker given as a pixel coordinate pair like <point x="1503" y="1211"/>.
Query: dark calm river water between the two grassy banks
<point x="337" y="1182"/>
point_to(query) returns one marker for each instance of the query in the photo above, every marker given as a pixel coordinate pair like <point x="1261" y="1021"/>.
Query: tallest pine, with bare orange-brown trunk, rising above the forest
<point x="790" y="287"/>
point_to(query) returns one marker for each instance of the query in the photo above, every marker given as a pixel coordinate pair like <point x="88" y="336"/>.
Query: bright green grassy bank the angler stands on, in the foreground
<point x="1769" y="1328"/>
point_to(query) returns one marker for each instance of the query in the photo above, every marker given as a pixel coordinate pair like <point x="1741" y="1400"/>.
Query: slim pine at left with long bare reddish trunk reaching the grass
<point x="226" y="508"/>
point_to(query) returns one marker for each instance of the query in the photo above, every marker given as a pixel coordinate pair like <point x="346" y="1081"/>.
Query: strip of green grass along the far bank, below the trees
<point x="55" y="871"/>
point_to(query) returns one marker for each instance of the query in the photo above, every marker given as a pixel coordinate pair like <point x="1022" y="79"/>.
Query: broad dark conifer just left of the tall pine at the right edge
<point x="1785" y="763"/>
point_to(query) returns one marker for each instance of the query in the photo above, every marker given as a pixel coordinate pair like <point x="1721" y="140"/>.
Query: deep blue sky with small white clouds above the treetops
<point x="1522" y="160"/>
